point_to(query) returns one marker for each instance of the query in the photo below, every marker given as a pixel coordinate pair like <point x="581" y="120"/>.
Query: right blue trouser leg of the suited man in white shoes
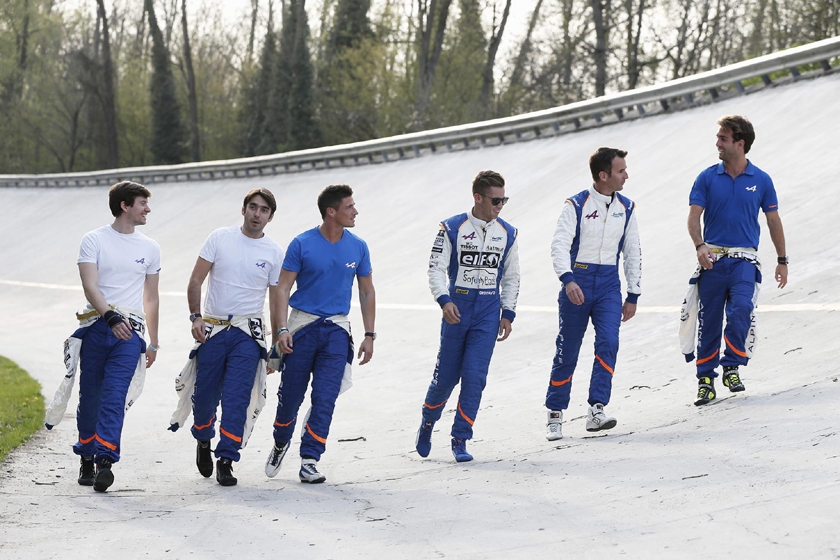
<point x="606" y="319"/>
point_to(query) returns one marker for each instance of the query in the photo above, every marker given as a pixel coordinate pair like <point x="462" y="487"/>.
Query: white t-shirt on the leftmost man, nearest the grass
<point x="122" y="261"/>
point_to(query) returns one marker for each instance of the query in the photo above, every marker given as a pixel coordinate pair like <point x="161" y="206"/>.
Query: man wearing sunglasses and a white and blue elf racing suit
<point x="474" y="276"/>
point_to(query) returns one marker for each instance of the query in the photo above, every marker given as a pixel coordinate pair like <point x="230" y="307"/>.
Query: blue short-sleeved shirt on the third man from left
<point x="326" y="271"/>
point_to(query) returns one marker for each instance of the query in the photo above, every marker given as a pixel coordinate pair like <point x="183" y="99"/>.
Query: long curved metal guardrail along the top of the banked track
<point x="682" y="93"/>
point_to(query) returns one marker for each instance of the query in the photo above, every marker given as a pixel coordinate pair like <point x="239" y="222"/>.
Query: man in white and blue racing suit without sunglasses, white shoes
<point x="594" y="228"/>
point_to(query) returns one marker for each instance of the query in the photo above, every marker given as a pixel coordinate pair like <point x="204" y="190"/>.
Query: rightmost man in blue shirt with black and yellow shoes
<point x="729" y="195"/>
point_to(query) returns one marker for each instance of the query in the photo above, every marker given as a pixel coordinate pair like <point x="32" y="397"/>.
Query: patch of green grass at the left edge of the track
<point x="21" y="406"/>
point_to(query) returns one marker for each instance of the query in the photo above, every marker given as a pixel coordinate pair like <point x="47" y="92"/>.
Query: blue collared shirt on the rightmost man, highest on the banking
<point x="730" y="218"/>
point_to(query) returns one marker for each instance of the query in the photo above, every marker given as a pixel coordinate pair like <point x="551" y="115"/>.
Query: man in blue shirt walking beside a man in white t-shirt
<point x="316" y="337"/>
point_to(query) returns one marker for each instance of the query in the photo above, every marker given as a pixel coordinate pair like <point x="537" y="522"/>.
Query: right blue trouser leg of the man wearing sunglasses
<point x="481" y="339"/>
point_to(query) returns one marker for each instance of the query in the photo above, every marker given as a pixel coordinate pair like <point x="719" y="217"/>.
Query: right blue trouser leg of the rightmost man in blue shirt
<point x="739" y="307"/>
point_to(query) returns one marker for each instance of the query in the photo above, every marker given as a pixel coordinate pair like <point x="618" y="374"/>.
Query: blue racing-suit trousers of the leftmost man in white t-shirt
<point x="107" y="367"/>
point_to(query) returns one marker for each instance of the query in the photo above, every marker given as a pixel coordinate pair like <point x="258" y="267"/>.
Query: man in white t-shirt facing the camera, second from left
<point x="230" y="352"/>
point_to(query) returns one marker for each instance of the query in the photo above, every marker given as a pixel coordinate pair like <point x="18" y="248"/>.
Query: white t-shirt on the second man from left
<point x="243" y="268"/>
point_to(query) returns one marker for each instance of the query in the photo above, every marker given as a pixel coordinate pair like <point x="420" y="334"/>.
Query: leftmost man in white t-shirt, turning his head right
<point x="120" y="270"/>
